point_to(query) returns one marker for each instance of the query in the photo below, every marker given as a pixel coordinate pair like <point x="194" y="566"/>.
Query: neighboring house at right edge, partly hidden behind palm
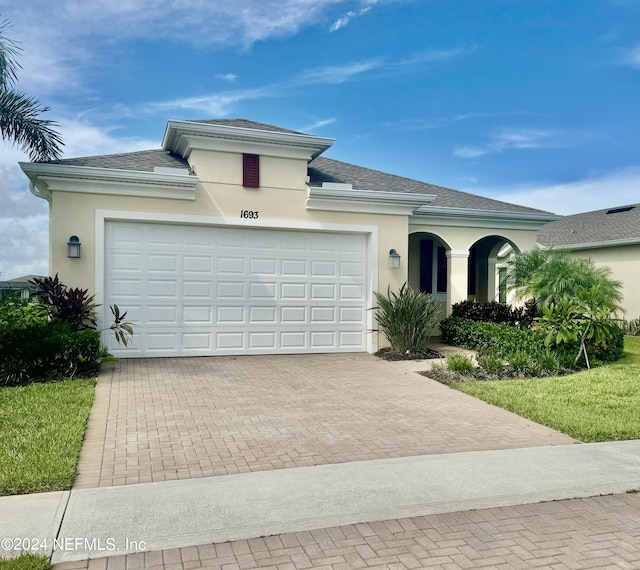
<point x="611" y="238"/>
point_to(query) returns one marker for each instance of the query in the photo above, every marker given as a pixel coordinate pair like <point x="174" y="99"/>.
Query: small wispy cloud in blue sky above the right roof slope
<point x="518" y="139"/>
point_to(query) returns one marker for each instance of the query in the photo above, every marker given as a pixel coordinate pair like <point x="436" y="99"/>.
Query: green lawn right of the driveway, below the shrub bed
<point x="594" y="405"/>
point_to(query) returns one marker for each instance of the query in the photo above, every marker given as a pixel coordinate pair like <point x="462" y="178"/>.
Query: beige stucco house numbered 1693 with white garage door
<point x="239" y="238"/>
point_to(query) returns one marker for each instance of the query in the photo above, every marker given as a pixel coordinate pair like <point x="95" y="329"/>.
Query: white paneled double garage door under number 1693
<point x="200" y="290"/>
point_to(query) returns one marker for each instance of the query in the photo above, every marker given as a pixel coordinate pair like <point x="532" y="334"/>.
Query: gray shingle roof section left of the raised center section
<point x="143" y="161"/>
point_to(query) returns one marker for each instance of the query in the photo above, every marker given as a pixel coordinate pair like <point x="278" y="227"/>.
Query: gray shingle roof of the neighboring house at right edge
<point x="597" y="228"/>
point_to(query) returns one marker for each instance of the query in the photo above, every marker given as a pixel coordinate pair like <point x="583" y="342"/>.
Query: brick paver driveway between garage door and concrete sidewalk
<point x="179" y="418"/>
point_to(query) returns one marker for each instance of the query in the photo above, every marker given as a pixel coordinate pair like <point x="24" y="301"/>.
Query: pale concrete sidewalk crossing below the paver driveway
<point x="109" y="521"/>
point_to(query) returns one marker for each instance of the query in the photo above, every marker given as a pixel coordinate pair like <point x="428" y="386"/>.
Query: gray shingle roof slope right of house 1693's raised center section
<point x="328" y="170"/>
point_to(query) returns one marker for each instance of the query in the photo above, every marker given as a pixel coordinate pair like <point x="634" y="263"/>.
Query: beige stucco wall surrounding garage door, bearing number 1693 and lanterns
<point x="280" y="202"/>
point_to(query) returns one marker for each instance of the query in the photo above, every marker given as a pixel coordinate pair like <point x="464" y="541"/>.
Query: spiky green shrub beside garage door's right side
<point x="406" y="318"/>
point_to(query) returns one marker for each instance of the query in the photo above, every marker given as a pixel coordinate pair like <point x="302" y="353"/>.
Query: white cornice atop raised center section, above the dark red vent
<point x="182" y="137"/>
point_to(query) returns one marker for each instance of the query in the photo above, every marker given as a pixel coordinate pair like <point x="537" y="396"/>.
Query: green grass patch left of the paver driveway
<point x="42" y="427"/>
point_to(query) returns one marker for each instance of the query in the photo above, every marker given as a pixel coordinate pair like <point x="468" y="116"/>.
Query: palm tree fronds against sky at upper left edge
<point x="19" y="113"/>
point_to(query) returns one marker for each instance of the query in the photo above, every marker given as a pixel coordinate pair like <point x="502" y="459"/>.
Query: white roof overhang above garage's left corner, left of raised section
<point x="47" y="178"/>
